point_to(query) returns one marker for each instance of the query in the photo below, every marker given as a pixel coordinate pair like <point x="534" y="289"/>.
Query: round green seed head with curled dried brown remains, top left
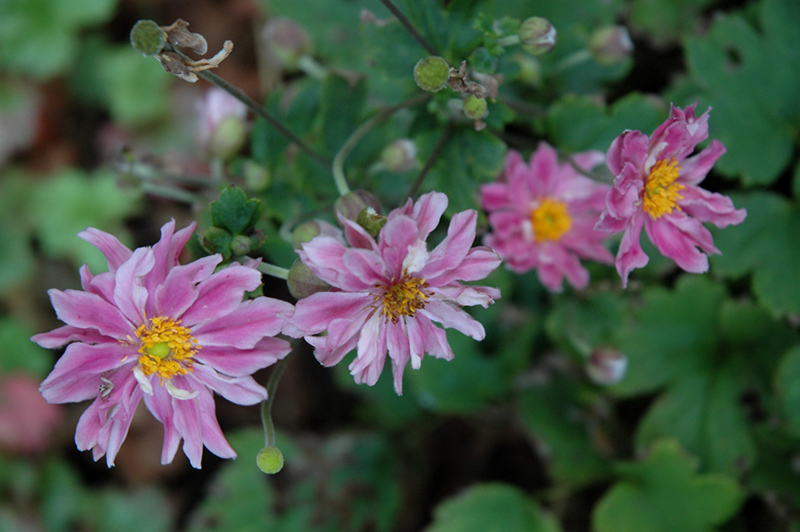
<point x="161" y="42"/>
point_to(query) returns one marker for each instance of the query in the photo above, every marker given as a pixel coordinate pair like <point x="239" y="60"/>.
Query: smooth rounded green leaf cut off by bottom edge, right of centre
<point x="492" y="508"/>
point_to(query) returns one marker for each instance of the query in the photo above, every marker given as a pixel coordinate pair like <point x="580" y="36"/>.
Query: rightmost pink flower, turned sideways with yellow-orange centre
<point x="656" y="188"/>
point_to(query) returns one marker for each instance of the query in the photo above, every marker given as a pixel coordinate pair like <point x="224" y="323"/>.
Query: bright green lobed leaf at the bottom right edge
<point x="664" y="493"/>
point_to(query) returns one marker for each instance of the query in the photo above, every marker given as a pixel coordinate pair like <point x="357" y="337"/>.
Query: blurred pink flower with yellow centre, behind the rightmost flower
<point x="543" y="216"/>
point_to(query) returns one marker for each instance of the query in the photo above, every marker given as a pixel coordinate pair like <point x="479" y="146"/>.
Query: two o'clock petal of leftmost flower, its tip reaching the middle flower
<point x="245" y="326"/>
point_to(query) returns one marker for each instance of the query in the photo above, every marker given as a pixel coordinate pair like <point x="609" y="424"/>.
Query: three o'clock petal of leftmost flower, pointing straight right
<point x="244" y="362"/>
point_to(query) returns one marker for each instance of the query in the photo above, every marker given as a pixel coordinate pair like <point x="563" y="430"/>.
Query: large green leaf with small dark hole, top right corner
<point x="732" y="64"/>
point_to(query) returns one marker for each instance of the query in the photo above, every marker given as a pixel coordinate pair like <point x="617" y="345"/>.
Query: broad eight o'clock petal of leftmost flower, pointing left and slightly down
<point x="76" y="375"/>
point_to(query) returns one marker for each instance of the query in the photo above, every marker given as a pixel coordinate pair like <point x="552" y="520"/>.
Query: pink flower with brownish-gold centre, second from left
<point x="387" y="293"/>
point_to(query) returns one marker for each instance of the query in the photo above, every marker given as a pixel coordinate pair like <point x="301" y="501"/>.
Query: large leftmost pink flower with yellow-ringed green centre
<point x="170" y="334"/>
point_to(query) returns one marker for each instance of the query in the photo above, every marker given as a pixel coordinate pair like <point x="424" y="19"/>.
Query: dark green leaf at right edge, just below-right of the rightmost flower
<point x="766" y="245"/>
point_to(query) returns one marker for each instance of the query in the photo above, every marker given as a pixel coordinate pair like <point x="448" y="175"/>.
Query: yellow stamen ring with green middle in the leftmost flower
<point x="166" y="348"/>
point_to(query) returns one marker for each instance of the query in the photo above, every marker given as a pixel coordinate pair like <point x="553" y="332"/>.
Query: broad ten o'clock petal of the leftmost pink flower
<point x="89" y="311"/>
